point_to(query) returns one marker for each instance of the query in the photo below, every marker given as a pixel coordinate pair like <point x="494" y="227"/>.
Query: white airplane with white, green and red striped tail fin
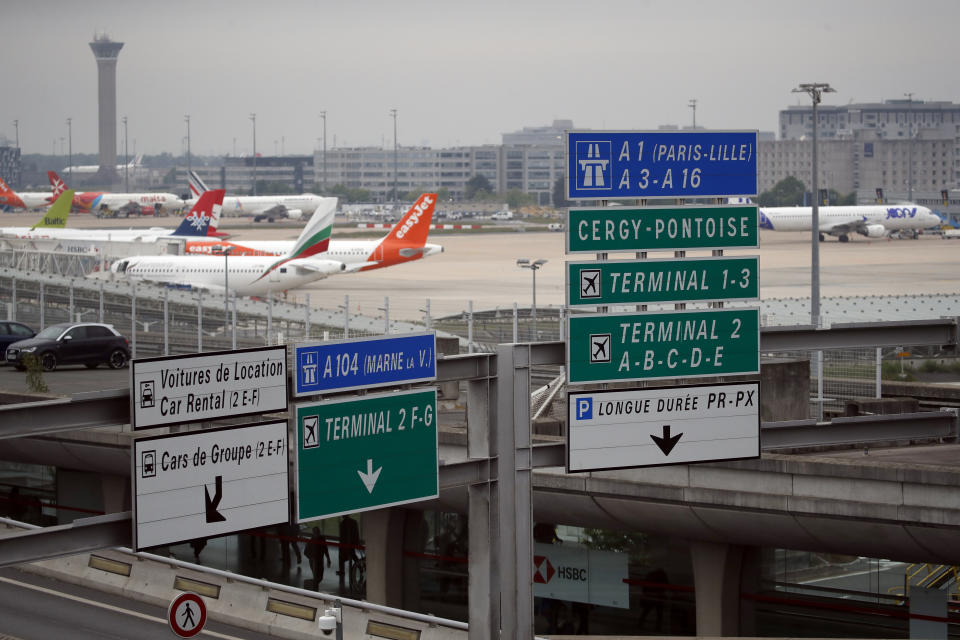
<point x="247" y="275"/>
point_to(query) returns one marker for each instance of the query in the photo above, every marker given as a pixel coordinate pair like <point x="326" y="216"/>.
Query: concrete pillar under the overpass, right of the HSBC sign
<point x="717" y="576"/>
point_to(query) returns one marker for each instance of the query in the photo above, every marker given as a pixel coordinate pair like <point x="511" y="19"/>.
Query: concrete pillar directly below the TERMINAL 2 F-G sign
<point x="383" y="541"/>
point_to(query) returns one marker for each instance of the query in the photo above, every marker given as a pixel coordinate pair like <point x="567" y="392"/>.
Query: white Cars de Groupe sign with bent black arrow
<point x="209" y="483"/>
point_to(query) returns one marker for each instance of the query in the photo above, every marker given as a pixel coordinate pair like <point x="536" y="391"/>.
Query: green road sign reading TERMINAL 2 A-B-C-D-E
<point x="669" y="344"/>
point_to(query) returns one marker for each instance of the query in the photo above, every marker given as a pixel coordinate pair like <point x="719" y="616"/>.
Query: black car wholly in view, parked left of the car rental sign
<point x="88" y="343"/>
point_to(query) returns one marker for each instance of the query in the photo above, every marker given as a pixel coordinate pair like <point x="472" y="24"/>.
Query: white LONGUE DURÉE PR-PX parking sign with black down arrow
<point x="649" y="427"/>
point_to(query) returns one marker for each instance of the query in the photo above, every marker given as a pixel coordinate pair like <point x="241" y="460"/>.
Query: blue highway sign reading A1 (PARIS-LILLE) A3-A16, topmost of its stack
<point x="611" y="165"/>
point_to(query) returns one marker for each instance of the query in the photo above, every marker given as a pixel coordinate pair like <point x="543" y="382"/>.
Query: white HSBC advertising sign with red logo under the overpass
<point x="577" y="574"/>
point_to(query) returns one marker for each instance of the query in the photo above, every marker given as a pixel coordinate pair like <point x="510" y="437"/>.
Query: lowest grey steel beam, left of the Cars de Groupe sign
<point x="80" y="536"/>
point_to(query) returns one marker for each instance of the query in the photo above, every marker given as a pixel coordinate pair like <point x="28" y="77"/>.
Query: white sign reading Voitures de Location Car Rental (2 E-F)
<point x="207" y="386"/>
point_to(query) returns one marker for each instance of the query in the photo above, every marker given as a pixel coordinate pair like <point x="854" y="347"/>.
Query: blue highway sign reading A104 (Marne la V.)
<point x="364" y="363"/>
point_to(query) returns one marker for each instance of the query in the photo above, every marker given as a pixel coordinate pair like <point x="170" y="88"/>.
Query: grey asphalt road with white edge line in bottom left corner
<point x="35" y="607"/>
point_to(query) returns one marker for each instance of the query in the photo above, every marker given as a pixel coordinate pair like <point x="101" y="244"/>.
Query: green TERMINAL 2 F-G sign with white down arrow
<point x="366" y="453"/>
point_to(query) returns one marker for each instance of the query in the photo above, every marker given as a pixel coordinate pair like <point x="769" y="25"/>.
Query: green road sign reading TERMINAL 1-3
<point x="671" y="280"/>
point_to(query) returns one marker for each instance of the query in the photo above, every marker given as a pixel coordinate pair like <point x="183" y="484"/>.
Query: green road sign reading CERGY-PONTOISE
<point x="661" y="228"/>
